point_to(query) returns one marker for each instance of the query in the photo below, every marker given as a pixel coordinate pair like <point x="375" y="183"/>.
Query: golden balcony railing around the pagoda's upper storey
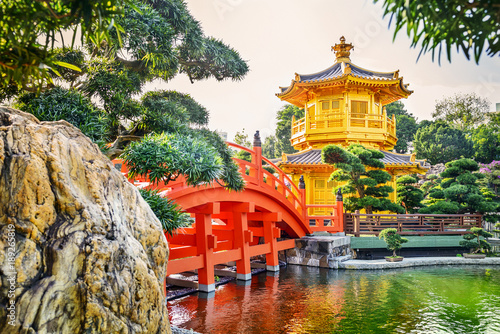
<point x="339" y="122"/>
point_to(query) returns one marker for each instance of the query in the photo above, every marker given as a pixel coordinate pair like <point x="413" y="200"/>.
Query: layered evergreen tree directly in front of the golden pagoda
<point x="364" y="177"/>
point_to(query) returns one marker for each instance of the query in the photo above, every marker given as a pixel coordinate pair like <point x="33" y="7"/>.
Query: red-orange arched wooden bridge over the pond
<point x="231" y="226"/>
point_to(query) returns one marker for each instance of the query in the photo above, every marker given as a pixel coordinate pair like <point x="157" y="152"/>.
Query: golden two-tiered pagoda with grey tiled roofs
<point x="343" y="104"/>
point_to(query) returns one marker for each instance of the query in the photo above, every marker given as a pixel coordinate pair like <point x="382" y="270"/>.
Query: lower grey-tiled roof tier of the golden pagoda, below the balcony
<point x="313" y="157"/>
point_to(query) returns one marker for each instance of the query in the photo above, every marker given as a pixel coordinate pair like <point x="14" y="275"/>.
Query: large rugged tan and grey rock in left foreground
<point x="90" y="255"/>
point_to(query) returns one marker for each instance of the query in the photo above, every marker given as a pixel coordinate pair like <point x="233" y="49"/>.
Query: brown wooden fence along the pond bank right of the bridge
<point x="414" y="224"/>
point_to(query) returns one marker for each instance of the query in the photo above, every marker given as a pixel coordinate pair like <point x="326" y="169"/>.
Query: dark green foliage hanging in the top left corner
<point x="29" y="30"/>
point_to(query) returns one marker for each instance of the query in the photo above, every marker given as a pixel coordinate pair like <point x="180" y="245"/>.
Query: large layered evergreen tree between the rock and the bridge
<point x="156" y="39"/>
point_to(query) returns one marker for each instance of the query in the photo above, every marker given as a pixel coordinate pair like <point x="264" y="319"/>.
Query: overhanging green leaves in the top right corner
<point x="470" y="26"/>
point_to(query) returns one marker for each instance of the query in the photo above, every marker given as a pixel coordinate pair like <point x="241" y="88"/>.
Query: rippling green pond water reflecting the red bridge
<point x="445" y="299"/>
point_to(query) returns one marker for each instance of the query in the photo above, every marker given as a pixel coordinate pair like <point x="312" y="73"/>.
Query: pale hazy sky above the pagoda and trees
<point x="279" y="38"/>
